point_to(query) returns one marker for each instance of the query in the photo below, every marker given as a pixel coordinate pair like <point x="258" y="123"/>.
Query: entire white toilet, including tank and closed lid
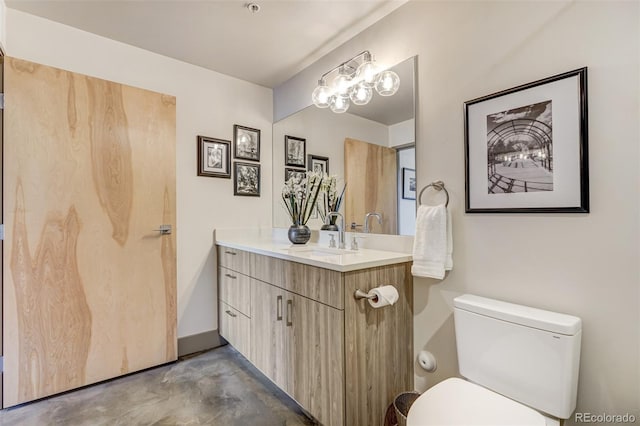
<point x="520" y="366"/>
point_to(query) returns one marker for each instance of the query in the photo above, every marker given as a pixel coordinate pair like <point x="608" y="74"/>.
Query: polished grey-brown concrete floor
<point x="218" y="387"/>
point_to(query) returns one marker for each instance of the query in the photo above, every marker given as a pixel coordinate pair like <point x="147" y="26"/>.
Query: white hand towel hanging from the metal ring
<point x="432" y="244"/>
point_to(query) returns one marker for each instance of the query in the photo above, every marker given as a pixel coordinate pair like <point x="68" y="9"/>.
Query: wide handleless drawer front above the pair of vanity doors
<point x="319" y="284"/>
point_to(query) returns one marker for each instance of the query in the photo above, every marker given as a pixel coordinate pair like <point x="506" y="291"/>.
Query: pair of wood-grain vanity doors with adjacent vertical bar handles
<point x="299" y="344"/>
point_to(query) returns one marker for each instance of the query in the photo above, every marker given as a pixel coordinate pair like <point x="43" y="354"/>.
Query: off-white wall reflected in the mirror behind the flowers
<point x="324" y="132"/>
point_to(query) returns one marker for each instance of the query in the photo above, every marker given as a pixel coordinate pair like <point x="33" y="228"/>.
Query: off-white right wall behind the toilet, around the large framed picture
<point x="582" y="264"/>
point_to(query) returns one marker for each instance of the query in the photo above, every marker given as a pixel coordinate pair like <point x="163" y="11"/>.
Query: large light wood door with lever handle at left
<point x="89" y="288"/>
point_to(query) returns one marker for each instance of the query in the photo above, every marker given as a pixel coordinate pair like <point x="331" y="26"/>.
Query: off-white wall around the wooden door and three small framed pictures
<point x="209" y="104"/>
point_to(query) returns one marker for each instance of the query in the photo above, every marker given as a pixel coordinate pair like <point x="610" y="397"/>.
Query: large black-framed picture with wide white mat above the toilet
<point x="526" y="148"/>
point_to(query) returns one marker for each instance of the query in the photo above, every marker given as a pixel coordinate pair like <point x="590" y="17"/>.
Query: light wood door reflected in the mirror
<point x="370" y="172"/>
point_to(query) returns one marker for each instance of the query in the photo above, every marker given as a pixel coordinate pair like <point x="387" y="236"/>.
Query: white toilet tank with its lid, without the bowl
<point x="526" y="354"/>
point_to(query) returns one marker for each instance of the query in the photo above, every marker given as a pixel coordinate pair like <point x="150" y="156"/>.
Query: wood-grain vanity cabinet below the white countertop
<point x="340" y="359"/>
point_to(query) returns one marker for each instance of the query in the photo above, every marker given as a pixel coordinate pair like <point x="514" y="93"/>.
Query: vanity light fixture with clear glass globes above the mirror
<point x="355" y="82"/>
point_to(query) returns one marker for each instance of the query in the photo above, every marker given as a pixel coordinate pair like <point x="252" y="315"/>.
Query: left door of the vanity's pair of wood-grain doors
<point x="267" y="332"/>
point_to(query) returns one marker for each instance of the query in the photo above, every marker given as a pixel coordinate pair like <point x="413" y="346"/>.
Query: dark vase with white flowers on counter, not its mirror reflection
<point x="300" y="195"/>
